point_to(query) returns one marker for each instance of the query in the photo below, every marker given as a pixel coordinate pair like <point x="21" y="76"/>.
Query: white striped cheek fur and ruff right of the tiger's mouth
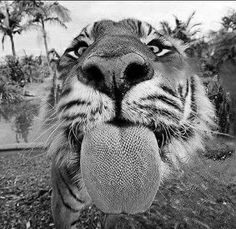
<point x="186" y="112"/>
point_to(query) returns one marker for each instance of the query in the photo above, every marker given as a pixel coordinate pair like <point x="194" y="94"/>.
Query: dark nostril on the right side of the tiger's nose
<point x="135" y="72"/>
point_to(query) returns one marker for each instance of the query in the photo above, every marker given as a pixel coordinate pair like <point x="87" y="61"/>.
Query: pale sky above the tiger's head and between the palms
<point x="209" y="13"/>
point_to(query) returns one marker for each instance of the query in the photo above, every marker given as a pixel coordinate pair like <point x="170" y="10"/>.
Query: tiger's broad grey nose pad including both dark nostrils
<point x="120" y="72"/>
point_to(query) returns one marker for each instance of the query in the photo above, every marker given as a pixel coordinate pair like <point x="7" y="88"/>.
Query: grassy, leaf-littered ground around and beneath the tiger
<point x="204" y="196"/>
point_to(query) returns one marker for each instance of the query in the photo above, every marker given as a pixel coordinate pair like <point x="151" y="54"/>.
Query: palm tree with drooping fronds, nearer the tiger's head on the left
<point x="44" y="12"/>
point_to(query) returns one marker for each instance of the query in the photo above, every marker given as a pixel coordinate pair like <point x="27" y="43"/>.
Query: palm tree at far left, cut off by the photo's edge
<point x="11" y="15"/>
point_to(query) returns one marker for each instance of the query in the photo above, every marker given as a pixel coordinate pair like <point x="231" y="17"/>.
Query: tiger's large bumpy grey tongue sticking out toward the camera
<point x="120" y="168"/>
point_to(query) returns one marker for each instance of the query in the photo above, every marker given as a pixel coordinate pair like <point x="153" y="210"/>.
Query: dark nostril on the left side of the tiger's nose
<point x="93" y="74"/>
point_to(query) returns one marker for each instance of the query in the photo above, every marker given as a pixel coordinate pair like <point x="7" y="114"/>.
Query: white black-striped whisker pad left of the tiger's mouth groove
<point x="83" y="107"/>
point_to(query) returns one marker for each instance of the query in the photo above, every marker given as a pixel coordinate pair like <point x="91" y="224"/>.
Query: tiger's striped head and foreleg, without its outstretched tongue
<point x="124" y="73"/>
